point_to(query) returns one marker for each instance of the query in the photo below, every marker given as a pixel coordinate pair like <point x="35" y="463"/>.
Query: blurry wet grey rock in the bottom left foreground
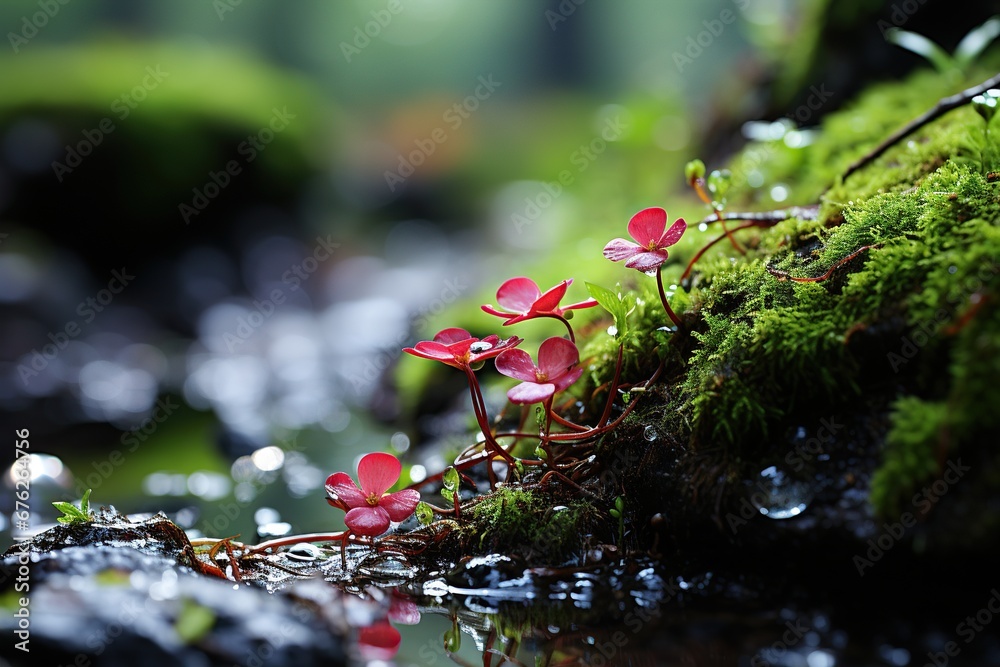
<point x="114" y="592"/>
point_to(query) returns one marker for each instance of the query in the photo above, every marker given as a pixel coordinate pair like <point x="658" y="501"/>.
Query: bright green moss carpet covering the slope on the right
<point x="908" y="321"/>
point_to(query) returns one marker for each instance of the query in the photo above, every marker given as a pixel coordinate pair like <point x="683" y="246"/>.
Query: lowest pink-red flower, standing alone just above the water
<point x="369" y="508"/>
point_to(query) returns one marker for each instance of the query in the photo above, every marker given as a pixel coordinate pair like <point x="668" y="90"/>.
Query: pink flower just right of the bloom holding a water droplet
<point x="557" y="369"/>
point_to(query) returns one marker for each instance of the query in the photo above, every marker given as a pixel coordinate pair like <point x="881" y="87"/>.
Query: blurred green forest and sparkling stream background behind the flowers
<point x="300" y="189"/>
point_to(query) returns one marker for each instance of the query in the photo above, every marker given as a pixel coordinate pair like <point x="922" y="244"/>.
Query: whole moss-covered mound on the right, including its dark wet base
<point x="868" y="385"/>
